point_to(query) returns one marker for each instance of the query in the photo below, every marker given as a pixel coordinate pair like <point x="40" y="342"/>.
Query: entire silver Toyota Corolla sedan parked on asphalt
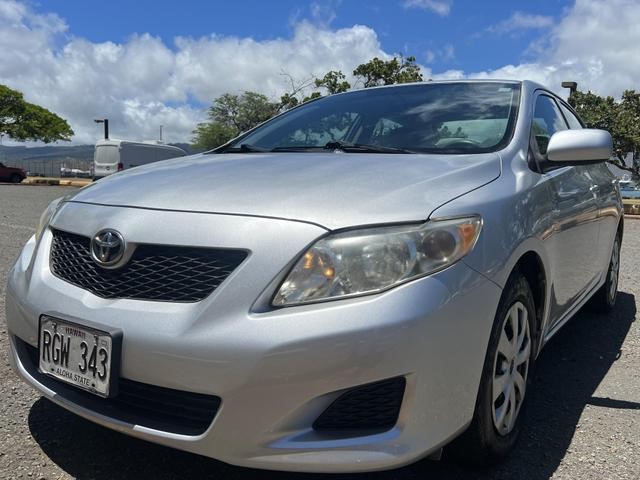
<point x="350" y="286"/>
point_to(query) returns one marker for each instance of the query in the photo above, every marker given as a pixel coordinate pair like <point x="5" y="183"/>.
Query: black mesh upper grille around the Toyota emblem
<point x="154" y="272"/>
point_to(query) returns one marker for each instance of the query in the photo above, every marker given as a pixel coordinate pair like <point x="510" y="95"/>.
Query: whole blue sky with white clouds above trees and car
<point x="148" y="63"/>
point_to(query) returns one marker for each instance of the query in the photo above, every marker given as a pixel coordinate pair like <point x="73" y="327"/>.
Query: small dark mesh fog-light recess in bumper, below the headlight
<point x="373" y="407"/>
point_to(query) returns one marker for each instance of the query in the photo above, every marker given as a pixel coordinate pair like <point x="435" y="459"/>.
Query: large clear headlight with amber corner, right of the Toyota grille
<point x="375" y="259"/>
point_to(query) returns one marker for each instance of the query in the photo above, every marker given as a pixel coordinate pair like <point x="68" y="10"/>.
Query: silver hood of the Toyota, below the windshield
<point x="334" y="190"/>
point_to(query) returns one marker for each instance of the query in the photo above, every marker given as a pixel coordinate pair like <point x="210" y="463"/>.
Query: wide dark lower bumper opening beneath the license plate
<point x="136" y="403"/>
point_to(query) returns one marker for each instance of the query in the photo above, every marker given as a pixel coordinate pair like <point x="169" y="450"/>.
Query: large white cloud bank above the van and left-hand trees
<point x="143" y="83"/>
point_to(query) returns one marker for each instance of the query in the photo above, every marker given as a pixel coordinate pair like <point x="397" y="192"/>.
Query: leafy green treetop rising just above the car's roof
<point x="380" y="72"/>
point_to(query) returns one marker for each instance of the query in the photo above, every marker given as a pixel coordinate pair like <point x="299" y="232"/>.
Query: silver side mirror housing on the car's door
<point x="573" y="147"/>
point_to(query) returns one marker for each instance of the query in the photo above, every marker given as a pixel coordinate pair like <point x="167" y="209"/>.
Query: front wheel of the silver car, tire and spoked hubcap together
<point x="505" y="378"/>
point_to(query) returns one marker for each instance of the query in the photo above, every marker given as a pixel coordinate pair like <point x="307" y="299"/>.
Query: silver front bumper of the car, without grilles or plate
<point x="276" y="371"/>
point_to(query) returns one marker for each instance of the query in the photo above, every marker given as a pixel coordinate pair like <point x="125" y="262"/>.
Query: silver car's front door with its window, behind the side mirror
<point x="574" y="237"/>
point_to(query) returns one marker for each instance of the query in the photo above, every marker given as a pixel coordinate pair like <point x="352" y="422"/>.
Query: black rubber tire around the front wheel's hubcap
<point x="482" y="443"/>
